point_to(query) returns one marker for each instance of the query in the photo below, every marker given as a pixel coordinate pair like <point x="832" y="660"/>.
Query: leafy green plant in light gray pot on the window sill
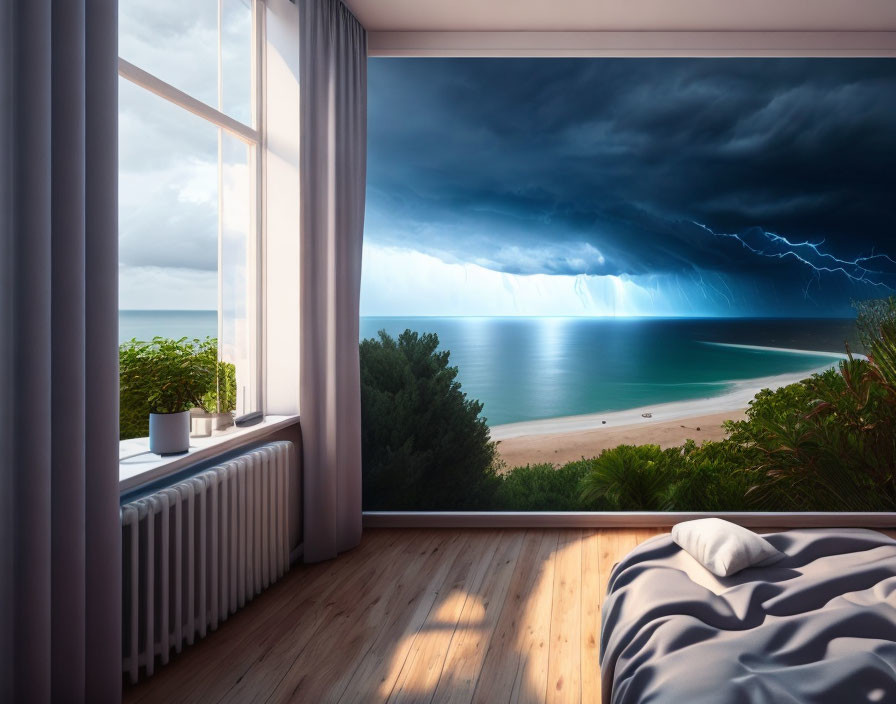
<point x="172" y="375"/>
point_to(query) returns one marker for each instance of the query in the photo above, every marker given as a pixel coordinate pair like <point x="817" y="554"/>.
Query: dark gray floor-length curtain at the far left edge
<point x="60" y="578"/>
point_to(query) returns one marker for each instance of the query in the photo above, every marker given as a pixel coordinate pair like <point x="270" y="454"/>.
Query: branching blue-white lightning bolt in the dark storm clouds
<point x="811" y="255"/>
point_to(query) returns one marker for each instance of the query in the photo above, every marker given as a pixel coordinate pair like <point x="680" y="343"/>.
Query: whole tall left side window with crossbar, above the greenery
<point x="190" y="178"/>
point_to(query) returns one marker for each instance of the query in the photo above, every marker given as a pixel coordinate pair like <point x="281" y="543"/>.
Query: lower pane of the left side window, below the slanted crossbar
<point x="187" y="232"/>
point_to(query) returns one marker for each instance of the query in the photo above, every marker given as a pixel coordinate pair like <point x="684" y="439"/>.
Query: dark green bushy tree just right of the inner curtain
<point x="424" y="446"/>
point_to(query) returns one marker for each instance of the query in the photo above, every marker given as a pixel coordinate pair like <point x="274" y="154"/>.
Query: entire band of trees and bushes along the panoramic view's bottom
<point x="826" y="443"/>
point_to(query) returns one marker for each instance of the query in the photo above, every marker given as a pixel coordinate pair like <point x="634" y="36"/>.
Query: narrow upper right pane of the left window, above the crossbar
<point x="236" y="59"/>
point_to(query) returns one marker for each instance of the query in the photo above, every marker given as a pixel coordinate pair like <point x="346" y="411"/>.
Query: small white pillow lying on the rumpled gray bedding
<point x="722" y="547"/>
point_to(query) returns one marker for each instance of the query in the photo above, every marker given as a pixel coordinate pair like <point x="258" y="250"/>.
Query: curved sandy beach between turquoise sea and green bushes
<point x="561" y="440"/>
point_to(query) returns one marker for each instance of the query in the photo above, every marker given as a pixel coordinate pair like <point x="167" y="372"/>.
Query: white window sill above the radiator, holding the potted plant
<point x="138" y="466"/>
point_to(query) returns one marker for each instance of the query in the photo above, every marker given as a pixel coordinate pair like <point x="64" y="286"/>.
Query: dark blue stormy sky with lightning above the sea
<point x="705" y="187"/>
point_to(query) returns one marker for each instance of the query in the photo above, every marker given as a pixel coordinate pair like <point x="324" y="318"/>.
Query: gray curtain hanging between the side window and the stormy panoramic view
<point x="333" y="143"/>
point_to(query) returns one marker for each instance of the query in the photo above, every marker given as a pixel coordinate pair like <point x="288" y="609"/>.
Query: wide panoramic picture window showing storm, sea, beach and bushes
<point x="630" y="284"/>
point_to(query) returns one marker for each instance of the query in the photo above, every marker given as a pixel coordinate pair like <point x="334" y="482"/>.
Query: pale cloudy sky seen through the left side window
<point x="168" y="157"/>
